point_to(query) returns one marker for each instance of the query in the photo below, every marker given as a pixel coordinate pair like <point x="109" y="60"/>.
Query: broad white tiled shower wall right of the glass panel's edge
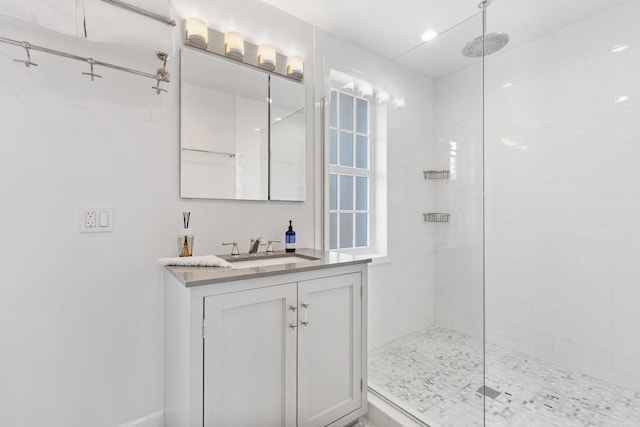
<point x="563" y="197"/>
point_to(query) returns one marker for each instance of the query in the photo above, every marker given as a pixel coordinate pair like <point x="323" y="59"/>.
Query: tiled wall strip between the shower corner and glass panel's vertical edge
<point x="458" y="244"/>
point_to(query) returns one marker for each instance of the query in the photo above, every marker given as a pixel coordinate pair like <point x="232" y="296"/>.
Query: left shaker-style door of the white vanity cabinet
<point x="250" y="358"/>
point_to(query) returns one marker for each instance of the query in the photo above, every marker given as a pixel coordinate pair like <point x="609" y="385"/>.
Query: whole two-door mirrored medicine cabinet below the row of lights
<point x="234" y="143"/>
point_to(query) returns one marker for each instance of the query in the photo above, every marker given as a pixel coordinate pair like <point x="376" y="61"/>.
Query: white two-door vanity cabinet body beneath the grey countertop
<point x="284" y="350"/>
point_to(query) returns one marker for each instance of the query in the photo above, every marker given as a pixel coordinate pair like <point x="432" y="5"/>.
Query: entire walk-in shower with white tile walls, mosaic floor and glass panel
<point x="512" y="206"/>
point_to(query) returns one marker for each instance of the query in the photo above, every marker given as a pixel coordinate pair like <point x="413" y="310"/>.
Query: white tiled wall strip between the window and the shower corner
<point x="401" y="292"/>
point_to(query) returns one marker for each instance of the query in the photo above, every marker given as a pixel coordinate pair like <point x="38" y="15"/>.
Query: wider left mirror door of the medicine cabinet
<point x="224" y="129"/>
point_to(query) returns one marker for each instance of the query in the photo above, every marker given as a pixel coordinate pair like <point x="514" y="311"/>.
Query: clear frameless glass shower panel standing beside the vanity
<point x="433" y="367"/>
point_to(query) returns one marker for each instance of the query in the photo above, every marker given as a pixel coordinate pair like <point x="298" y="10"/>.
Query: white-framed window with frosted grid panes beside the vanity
<point x="350" y="171"/>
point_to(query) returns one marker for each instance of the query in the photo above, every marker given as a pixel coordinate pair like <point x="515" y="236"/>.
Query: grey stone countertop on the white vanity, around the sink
<point x="198" y="276"/>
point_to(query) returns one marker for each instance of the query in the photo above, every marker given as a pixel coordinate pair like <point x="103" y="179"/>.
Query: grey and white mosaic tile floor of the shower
<point x="437" y="372"/>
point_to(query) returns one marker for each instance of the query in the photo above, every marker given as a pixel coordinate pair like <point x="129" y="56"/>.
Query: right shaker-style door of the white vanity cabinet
<point x="329" y="349"/>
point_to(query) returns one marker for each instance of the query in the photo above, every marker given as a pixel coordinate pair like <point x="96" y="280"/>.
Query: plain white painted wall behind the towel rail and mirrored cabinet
<point x="81" y="314"/>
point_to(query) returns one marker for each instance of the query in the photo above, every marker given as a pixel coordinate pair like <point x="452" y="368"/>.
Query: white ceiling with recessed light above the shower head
<point x="393" y="29"/>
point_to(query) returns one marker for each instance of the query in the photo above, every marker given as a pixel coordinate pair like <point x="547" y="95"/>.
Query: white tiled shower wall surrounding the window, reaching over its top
<point x="401" y="287"/>
